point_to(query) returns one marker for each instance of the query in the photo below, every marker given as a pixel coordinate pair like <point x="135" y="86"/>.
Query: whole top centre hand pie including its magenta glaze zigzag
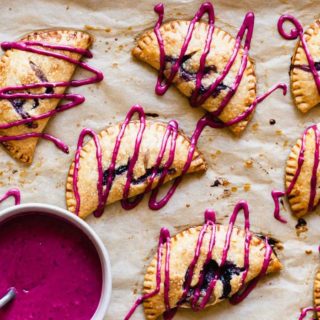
<point x="220" y="79"/>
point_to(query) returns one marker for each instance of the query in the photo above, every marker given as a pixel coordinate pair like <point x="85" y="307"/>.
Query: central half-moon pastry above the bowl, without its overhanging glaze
<point x="152" y="141"/>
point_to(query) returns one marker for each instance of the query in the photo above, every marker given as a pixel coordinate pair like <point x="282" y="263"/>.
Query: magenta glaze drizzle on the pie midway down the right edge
<point x="276" y="195"/>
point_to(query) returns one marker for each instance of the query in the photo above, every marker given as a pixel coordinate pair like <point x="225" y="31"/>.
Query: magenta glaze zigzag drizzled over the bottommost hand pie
<point x="209" y="226"/>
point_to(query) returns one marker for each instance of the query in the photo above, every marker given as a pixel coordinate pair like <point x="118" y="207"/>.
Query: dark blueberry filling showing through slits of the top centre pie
<point x="191" y="76"/>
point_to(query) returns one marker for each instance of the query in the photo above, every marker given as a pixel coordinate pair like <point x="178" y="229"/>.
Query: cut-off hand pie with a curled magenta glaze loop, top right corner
<point x="305" y="63"/>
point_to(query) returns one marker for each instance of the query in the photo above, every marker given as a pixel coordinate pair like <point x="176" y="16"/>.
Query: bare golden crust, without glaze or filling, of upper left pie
<point x="16" y="69"/>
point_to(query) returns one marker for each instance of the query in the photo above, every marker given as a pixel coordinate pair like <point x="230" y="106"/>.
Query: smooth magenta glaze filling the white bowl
<point x="54" y="267"/>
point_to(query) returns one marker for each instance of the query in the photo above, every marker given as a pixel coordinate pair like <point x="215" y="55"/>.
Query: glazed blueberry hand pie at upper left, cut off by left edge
<point x="34" y="74"/>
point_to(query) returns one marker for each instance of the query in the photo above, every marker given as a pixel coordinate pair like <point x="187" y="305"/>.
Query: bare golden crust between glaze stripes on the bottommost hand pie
<point x="182" y="250"/>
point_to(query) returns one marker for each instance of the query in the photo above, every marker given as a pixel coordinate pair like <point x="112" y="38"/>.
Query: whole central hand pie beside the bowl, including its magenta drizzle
<point x="127" y="160"/>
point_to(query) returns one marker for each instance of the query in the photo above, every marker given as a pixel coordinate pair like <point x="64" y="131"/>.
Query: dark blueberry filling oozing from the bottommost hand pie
<point x="223" y="273"/>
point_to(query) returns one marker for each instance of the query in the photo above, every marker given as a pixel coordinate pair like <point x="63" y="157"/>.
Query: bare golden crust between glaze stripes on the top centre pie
<point x="222" y="45"/>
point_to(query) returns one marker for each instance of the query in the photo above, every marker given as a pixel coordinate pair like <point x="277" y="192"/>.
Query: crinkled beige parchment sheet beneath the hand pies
<point x="131" y="236"/>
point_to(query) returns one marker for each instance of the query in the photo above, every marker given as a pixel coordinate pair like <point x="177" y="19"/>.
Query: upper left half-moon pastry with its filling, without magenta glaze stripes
<point x="22" y="68"/>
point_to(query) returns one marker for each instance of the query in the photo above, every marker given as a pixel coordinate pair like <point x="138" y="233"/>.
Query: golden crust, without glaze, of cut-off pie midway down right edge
<point x="300" y="194"/>
